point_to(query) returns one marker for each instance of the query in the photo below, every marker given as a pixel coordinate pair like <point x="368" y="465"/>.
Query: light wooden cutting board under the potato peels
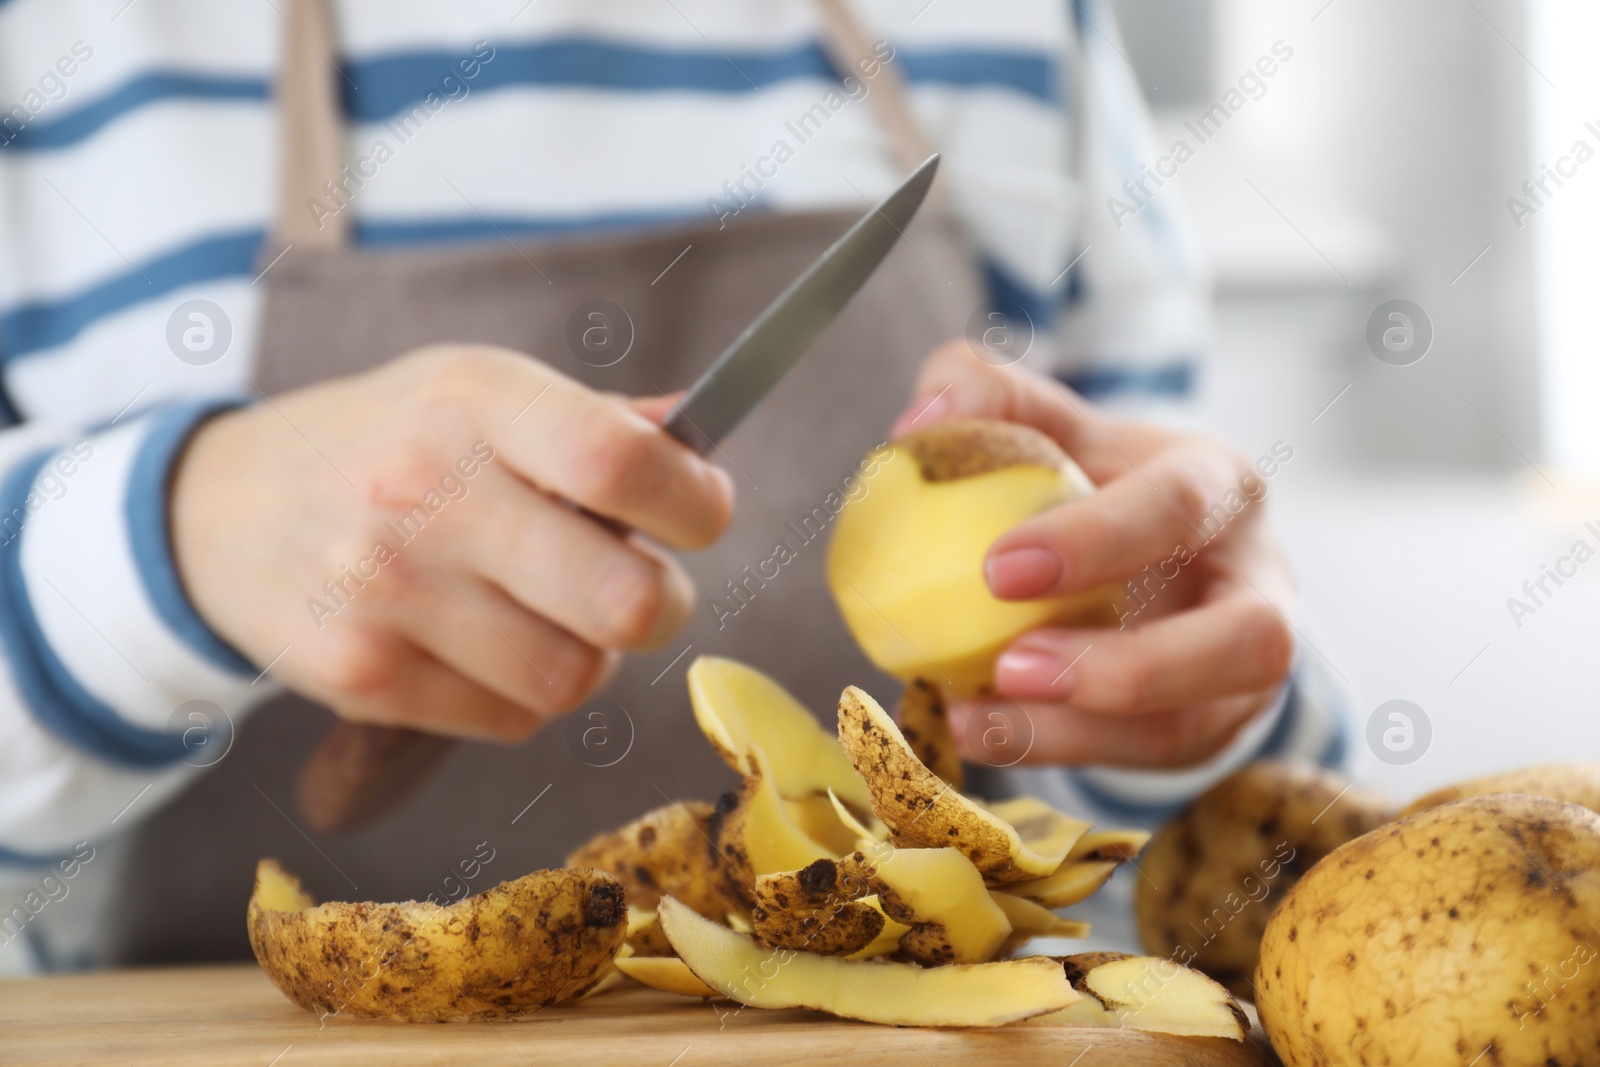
<point x="231" y="1015"/>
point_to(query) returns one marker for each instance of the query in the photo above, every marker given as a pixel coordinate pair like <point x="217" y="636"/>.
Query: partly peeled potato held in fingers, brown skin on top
<point x="906" y="561"/>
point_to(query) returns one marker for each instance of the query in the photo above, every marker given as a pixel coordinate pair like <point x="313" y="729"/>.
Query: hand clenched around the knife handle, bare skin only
<point x="409" y="535"/>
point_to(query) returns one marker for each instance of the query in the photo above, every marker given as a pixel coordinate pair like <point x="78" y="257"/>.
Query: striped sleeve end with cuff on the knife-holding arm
<point x="113" y="690"/>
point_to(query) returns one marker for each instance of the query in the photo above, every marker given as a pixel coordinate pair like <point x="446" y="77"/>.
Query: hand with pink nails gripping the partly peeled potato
<point x="1206" y="641"/>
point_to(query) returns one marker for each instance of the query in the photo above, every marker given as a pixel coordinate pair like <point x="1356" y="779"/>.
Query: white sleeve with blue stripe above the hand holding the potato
<point x="1137" y="314"/>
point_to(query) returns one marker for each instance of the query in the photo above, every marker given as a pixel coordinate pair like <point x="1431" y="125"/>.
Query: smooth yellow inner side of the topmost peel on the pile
<point x="738" y="706"/>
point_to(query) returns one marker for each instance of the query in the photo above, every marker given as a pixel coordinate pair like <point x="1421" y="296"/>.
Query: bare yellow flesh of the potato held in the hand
<point x="906" y="569"/>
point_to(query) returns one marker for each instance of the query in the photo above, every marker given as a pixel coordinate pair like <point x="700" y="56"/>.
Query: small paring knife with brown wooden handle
<point x="361" y="772"/>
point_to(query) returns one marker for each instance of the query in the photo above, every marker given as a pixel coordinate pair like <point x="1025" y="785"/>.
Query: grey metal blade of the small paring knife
<point x="786" y="330"/>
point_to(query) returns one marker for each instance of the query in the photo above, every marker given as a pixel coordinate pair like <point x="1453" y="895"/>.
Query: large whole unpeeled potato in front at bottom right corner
<point x="1462" y="935"/>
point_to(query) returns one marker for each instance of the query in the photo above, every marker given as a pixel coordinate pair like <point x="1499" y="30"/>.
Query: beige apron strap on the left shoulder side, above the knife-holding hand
<point x="311" y="129"/>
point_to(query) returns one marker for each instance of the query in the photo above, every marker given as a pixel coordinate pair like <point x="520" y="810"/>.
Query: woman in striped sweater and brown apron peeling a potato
<point x="305" y="388"/>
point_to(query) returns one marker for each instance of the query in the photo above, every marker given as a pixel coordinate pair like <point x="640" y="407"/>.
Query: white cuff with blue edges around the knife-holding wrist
<point x="102" y="642"/>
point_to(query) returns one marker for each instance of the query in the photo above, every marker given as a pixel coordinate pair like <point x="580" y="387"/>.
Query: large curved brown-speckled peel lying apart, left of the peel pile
<point x="502" y="954"/>
